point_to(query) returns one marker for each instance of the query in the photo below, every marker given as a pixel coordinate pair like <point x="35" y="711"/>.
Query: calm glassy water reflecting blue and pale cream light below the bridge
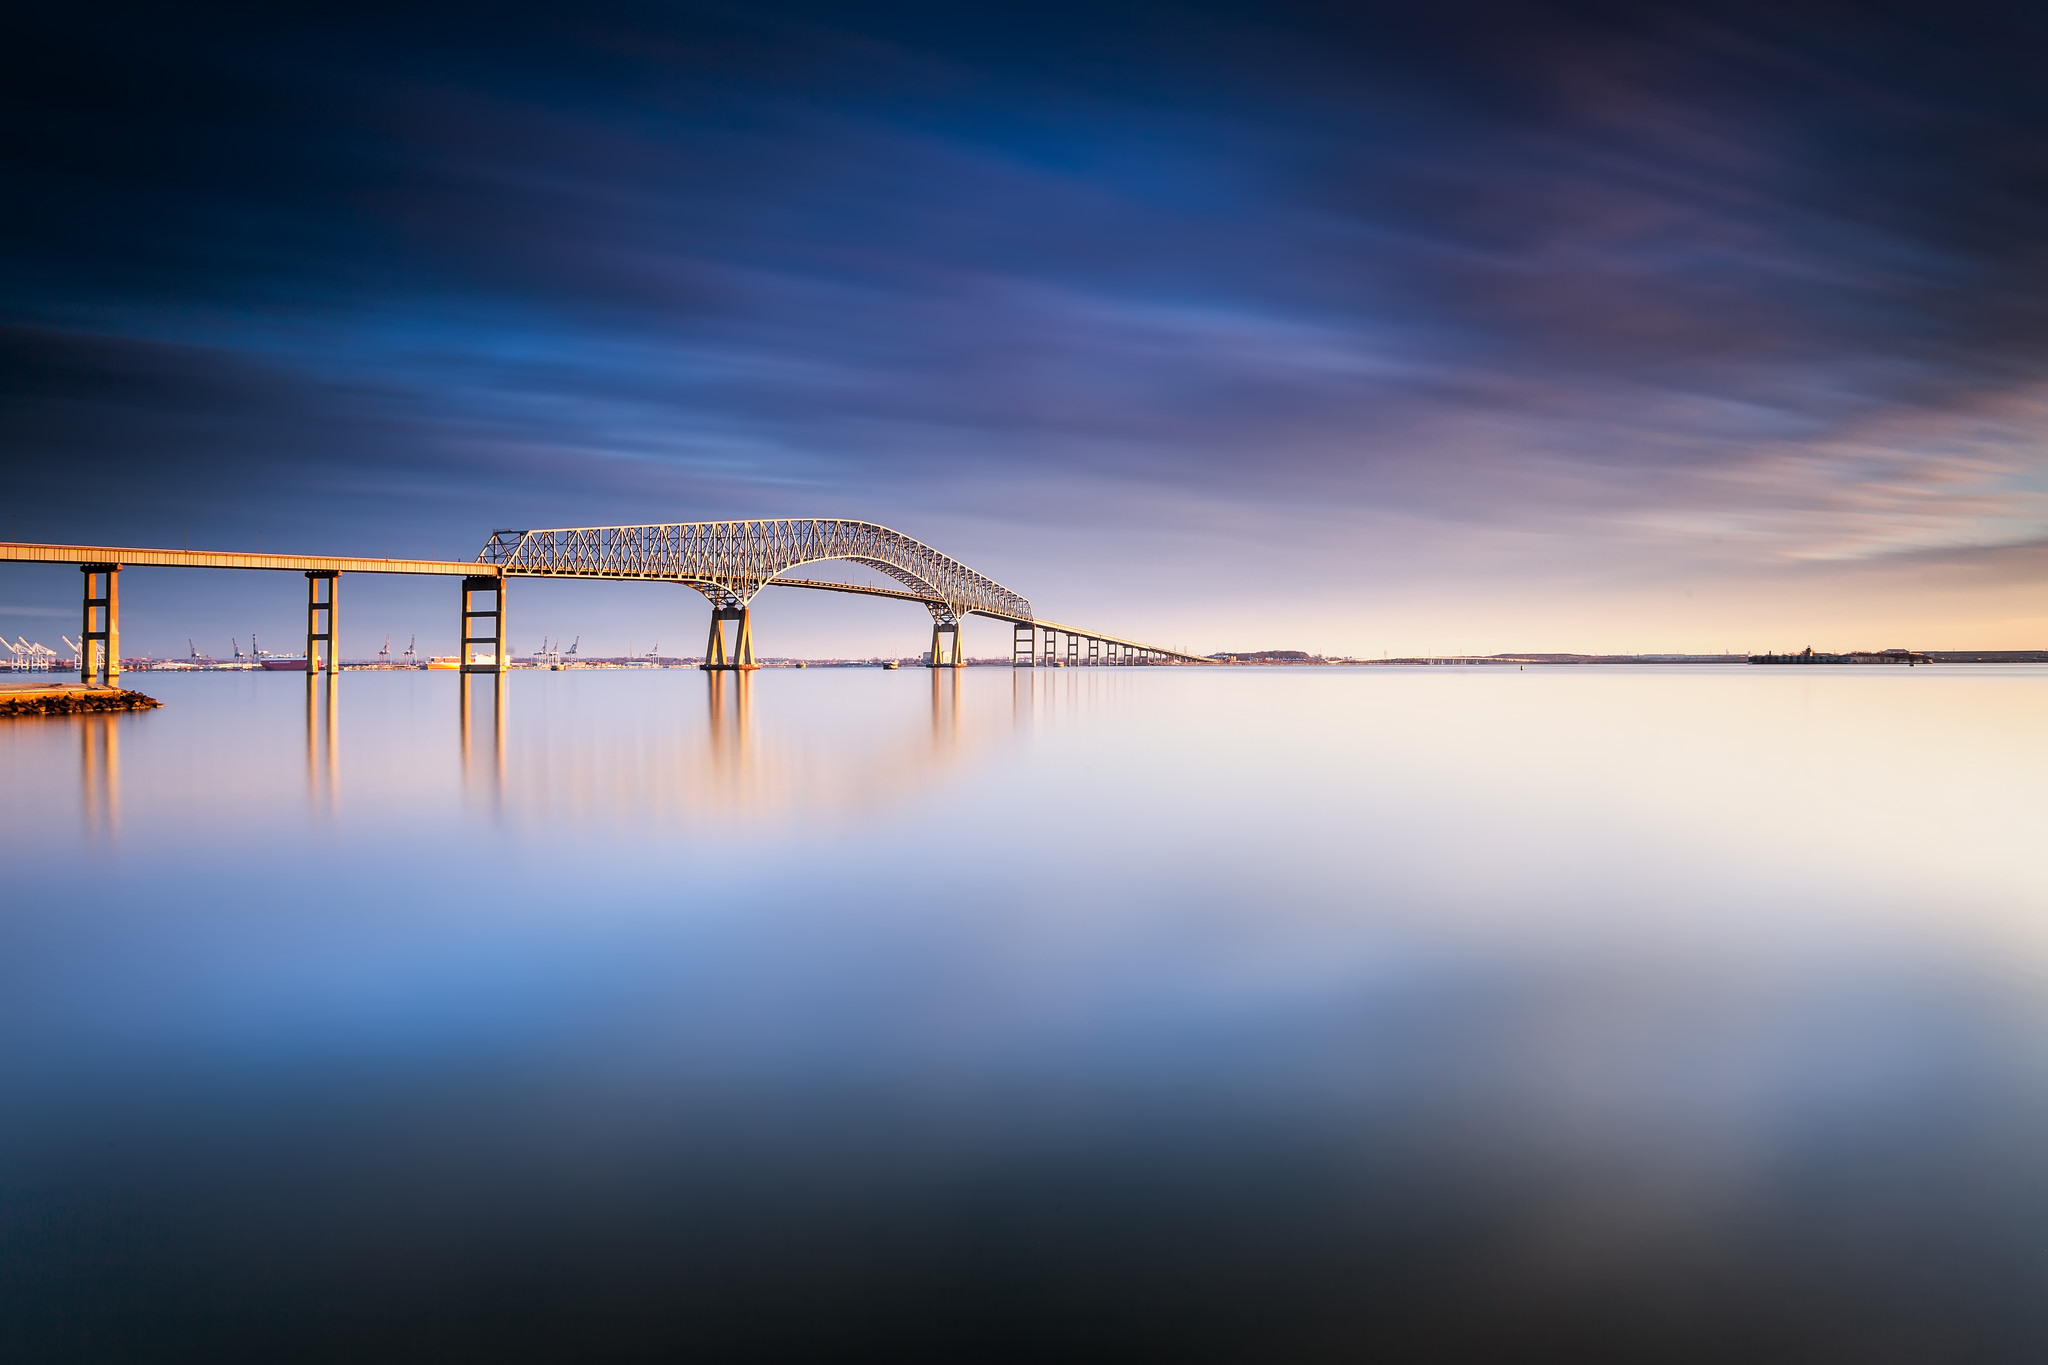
<point x="1230" y="1014"/>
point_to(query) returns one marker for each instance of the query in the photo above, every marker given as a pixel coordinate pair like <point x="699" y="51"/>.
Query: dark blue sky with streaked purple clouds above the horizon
<point x="1353" y="328"/>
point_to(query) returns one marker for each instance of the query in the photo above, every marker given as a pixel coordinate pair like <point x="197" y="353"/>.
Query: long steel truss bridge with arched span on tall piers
<point x="730" y="564"/>
